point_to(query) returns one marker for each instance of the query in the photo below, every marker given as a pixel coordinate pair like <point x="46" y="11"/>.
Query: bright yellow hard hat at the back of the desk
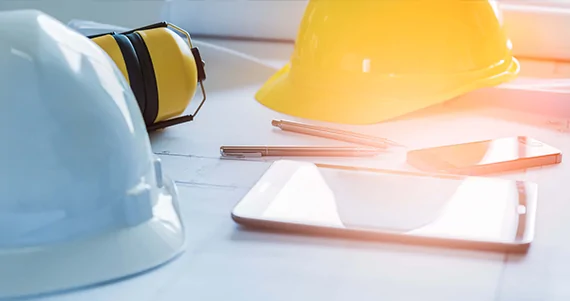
<point x="368" y="61"/>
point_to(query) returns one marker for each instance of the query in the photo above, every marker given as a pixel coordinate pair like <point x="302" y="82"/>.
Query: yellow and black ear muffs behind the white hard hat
<point x="162" y="70"/>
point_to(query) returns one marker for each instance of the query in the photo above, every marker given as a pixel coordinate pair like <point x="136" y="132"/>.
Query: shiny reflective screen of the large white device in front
<point x="472" y="208"/>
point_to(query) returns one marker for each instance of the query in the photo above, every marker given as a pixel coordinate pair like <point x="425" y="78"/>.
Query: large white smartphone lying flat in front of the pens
<point x="392" y="206"/>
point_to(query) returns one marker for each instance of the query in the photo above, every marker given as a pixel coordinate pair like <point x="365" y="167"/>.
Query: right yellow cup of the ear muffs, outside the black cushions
<point x="175" y="70"/>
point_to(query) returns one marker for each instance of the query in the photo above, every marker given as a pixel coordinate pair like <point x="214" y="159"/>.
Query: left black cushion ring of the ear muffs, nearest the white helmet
<point x="133" y="69"/>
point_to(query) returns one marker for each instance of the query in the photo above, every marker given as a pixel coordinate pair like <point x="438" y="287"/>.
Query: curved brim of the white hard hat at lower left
<point x="59" y="268"/>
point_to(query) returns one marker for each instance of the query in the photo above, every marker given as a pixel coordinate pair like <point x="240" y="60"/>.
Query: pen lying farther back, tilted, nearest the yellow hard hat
<point x="333" y="134"/>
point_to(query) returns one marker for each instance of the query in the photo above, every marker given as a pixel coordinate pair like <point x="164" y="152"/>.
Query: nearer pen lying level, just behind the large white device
<point x="309" y="151"/>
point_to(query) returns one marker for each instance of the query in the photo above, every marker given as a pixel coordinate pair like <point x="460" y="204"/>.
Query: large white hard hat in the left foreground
<point x="83" y="200"/>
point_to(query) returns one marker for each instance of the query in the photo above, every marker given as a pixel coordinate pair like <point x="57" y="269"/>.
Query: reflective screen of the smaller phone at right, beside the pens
<point x="491" y="151"/>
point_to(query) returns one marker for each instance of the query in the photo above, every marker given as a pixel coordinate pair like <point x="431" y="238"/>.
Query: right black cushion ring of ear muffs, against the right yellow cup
<point x="150" y="111"/>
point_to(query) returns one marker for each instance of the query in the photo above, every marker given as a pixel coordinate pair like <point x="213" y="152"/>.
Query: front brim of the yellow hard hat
<point x="347" y="104"/>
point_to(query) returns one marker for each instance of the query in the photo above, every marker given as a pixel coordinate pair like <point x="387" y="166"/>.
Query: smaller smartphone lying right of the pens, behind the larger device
<point x="468" y="155"/>
